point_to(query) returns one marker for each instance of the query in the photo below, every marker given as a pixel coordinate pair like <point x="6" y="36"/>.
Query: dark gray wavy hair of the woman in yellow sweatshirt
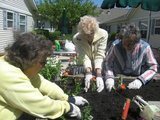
<point x="28" y="49"/>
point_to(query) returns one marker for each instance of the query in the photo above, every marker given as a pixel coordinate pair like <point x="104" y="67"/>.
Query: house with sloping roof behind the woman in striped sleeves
<point x="140" y="17"/>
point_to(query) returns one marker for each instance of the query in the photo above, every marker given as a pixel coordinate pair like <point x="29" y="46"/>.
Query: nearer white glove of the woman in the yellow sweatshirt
<point x="74" y="111"/>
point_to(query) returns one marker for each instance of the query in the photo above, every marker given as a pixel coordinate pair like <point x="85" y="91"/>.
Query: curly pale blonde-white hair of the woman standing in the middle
<point x="88" y="24"/>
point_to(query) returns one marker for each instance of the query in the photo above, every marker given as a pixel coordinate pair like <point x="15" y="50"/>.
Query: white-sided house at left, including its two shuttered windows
<point x="15" y="15"/>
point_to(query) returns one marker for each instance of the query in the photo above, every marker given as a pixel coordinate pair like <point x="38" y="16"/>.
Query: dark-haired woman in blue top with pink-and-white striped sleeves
<point x="130" y="56"/>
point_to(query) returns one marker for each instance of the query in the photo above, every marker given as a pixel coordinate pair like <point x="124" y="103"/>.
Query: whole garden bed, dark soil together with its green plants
<point x="104" y="105"/>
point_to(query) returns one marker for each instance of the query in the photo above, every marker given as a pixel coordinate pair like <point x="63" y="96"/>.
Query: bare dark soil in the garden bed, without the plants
<point x="109" y="106"/>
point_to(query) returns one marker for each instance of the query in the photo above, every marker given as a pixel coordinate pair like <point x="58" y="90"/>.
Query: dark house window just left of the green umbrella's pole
<point x="143" y="26"/>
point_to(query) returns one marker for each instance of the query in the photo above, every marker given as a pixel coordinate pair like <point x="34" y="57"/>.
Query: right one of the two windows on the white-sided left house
<point x="22" y="23"/>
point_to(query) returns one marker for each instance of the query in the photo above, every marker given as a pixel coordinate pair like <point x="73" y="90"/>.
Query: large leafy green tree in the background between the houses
<point x="53" y="10"/>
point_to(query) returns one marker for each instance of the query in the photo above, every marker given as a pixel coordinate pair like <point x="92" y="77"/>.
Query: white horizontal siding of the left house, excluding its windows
<point x="18" y="6"/>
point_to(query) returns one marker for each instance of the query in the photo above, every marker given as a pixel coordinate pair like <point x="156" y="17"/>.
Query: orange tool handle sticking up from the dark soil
<point x="126" y="109"/>
